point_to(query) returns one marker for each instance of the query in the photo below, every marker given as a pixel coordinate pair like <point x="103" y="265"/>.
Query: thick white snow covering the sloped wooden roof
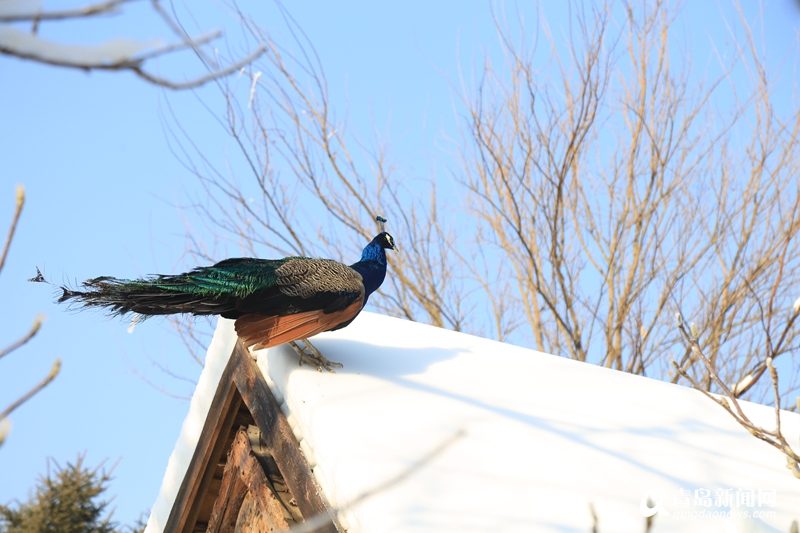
<point x="534" y="439"/>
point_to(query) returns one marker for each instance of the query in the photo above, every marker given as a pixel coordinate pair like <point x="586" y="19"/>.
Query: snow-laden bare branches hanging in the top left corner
<point x="118" y="54"/>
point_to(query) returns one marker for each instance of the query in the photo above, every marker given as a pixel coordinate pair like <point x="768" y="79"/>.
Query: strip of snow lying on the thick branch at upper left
<point x="111" y="52"/>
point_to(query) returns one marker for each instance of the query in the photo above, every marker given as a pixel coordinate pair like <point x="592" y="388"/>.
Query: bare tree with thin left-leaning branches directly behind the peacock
<point x="298" y="152"/>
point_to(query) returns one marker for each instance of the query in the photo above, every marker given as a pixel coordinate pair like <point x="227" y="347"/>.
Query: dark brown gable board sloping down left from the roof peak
<point x="210" y="446"/>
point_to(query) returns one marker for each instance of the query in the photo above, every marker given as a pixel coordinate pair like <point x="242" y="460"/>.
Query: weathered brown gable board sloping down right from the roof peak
<point x="279" y="438"/>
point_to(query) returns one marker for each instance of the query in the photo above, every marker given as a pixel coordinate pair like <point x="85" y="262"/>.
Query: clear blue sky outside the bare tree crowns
<point x="103" y="190"/>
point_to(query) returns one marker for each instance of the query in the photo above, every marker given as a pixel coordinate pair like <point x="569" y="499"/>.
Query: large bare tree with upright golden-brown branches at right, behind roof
<point x="617" y="193"/>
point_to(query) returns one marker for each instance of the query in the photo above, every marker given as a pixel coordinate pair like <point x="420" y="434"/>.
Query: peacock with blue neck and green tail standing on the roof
<point x="273" y="301"/>
